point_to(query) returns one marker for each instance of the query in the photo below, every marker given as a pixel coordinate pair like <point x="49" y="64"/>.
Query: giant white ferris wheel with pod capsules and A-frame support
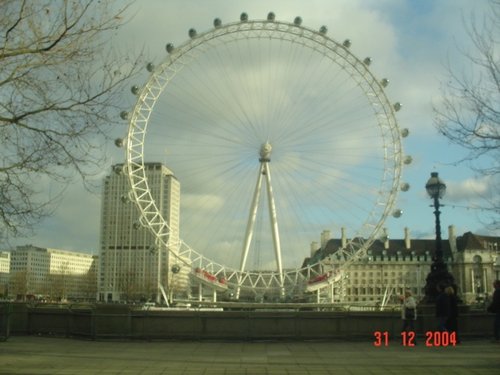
<point x="275" y="132"/>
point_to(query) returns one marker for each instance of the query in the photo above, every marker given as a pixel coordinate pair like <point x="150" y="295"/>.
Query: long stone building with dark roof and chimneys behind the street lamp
<point x="394" y="265"/>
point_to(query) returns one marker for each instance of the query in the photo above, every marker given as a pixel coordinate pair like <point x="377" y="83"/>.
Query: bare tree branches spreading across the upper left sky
<point x="60" y="85"/>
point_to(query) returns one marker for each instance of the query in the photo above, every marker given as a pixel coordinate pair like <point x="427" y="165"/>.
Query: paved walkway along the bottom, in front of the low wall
<point x="46" y="355"/>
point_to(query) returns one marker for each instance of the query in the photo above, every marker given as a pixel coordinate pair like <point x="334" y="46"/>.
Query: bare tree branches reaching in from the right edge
<point x="469" y="115"/>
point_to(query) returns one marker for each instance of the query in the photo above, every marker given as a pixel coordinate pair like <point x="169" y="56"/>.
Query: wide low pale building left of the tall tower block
<point x="52" y="274"/>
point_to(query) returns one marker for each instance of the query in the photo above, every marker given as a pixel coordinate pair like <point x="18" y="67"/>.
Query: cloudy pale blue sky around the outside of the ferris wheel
<point x="410" y="43"/>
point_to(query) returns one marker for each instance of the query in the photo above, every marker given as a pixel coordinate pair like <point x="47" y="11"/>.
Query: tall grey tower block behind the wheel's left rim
<point x="132" y="265"/>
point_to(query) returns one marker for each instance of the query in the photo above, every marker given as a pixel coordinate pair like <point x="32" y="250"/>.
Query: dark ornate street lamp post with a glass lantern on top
<point x="439" y="274"/>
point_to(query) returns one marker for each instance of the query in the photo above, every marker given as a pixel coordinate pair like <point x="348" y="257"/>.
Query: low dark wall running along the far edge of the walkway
<point x="241" y="321"/>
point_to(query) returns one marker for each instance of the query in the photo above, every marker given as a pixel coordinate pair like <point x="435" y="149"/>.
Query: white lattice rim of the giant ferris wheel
<point x="156" y="84"/>
